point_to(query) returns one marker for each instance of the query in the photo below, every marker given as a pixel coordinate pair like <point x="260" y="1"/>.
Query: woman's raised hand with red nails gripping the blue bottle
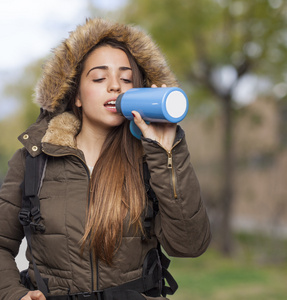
<point x="163" y="133"/>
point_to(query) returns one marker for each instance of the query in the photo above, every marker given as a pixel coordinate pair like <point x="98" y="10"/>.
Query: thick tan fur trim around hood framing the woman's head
<point x="59" y="71"/>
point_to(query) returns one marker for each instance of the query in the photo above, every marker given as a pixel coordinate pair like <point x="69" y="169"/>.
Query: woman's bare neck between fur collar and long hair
<point x="90" y="141"/>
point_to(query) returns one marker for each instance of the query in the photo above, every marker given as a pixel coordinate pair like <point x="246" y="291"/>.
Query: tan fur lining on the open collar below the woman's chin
<point x="62" y="130"/>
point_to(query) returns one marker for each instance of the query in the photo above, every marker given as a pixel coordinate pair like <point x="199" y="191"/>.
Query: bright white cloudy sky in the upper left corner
<point x="28" y="29"/>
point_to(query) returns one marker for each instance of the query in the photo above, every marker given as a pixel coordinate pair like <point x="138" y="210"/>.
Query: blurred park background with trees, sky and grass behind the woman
<point x="230" y="58"/>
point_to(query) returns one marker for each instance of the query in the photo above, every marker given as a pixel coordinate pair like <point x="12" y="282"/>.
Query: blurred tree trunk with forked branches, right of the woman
<point x="225" y="205"/>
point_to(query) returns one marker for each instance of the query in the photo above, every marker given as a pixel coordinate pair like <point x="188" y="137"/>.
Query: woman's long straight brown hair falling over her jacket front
<point x="117" y="192"/>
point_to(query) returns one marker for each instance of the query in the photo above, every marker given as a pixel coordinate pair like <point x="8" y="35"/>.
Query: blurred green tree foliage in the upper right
<point x="200" y="37"/>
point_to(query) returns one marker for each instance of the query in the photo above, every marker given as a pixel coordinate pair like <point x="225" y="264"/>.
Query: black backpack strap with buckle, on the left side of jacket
<point x="29" y="215"/>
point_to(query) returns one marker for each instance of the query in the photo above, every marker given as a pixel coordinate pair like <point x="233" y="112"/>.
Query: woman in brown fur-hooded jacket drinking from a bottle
<point x="93" y="199"/>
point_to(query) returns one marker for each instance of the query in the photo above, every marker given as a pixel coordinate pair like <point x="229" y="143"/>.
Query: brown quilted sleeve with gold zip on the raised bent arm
<point x="181" y="225"/>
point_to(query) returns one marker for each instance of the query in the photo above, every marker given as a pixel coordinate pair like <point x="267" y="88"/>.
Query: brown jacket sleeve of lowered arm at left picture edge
<point x="11" y="232"/>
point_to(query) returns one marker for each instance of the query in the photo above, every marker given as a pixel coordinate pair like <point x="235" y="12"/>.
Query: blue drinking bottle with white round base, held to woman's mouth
<point x="165" y="105"/>
